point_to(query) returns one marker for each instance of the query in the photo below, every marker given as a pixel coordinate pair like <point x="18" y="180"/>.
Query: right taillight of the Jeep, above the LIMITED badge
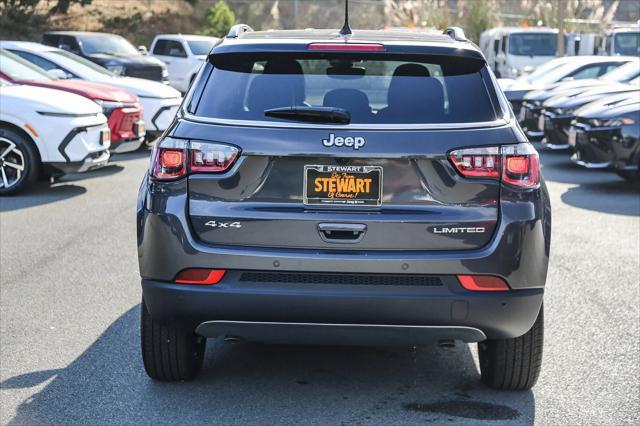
<point x="517" y="165"/>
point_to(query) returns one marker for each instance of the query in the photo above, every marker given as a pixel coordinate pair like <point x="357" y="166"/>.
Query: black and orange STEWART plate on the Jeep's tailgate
<point x="343" y="185"/>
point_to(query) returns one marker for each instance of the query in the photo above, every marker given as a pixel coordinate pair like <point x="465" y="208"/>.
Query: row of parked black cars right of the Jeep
<point x="589" y="105"/>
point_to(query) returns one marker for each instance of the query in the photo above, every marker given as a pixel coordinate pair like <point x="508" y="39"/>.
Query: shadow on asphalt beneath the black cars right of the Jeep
<point x="597" y="189"/>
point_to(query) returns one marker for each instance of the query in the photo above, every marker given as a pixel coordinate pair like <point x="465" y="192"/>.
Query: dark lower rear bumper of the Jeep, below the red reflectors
<point x="328" y="313"/>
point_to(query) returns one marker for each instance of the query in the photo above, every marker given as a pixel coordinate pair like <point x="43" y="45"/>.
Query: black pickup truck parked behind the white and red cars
<point x="111" y="51"/>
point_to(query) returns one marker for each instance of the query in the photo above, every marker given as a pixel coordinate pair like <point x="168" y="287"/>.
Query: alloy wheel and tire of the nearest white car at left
<point x="19" y="162"/>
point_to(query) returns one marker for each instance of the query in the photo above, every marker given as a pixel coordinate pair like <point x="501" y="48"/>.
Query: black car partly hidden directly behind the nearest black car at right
<point x="558" y="111"/>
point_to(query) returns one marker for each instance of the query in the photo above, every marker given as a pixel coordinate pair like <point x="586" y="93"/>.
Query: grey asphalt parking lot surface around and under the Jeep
<point x="69" y="324"/>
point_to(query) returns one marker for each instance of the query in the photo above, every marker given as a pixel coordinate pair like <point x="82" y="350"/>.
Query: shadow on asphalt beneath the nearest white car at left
<point x="41" y="193"/>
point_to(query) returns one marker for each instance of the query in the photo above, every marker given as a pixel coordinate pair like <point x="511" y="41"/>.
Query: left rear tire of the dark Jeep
<point x="169" y="353"/>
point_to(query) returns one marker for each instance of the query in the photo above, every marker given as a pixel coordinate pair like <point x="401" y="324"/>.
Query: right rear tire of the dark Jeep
<point x="513" y="364"/>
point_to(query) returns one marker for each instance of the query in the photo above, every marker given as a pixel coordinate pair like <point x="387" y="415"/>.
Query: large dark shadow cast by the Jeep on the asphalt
<point x="269" y="384"/>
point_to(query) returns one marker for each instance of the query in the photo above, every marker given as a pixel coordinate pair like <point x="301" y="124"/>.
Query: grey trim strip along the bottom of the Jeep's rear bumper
<point x="328" y="334"/>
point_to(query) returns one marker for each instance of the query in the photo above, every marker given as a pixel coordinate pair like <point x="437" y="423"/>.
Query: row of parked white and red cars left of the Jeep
<point x="62" y="112"/>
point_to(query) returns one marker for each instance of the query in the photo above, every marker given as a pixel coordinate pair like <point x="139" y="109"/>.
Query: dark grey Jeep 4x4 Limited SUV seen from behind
<point x="325" y="187"/>
